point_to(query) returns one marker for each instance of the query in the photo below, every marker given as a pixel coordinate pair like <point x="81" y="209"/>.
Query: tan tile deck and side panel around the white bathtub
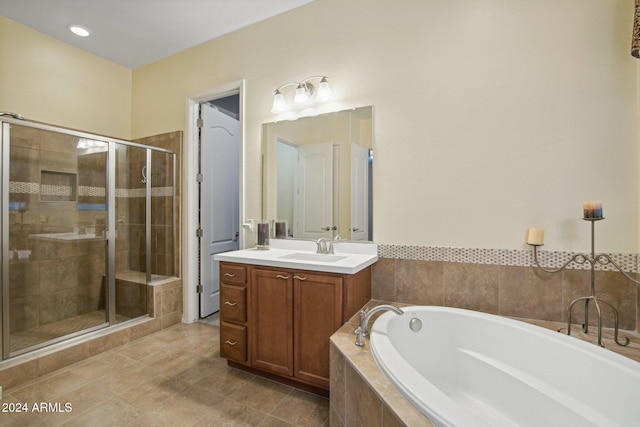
<point x="362" y="395"/>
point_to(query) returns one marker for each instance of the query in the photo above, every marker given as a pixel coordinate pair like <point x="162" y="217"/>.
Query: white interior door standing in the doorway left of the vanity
<point x="220" y="160"/>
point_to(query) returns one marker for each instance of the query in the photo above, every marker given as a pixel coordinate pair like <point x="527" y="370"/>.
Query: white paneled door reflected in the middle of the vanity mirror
<point x="314" y="207"/>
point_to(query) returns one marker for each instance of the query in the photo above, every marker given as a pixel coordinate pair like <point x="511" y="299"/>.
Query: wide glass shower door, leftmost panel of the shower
<point x="54" y="214"/>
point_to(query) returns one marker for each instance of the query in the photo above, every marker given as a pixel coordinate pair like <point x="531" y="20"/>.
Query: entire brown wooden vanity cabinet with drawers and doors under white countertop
<point x="290" y="316"/>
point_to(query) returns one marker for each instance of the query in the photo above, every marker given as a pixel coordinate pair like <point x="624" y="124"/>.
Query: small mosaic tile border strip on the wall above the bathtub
<point x="506" y="257"/>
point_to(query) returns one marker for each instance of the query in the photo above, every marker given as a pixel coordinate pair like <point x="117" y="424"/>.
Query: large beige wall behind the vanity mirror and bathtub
<point x="490" y="116"/>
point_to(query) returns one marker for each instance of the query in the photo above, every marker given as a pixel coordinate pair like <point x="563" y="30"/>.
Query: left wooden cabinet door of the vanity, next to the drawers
<point x="272" y="311"/>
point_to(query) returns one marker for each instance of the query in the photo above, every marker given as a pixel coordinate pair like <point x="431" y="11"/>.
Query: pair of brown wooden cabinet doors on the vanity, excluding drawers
<point x="294" y="314"/>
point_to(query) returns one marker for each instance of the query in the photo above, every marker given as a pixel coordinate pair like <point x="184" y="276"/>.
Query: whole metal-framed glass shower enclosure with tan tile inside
<point x="87" y="227"/>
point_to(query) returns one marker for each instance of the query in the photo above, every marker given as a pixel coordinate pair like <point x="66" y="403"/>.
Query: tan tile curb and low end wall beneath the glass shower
<point x="165" y="310"/>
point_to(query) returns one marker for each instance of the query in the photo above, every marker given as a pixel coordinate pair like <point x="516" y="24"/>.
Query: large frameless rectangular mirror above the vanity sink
<point x="316" y="179"/>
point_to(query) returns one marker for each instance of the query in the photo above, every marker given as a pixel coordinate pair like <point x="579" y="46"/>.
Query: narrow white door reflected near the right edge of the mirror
<point x="359" y="192"/>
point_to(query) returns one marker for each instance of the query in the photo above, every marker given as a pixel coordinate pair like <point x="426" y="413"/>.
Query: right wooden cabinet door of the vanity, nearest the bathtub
<point x="317" y="315"/>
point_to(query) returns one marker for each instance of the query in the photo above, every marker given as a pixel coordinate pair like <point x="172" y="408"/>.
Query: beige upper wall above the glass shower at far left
<point x="49" y="81"/>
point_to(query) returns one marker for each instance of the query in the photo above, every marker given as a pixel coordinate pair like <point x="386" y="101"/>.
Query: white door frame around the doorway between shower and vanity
<point x="191" y="298"/>
